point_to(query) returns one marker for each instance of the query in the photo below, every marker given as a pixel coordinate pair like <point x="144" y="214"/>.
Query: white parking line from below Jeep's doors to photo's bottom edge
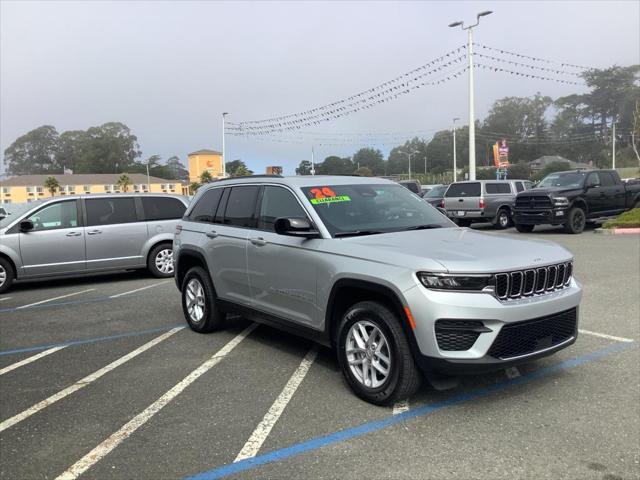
<point x="95" y="455"/>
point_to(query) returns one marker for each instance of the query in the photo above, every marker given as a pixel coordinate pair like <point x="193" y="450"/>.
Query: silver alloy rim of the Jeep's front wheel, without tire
<point x="368" y="354"/>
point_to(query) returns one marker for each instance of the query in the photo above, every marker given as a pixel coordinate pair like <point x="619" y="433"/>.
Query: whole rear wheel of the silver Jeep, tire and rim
<point x="199" y="302"/>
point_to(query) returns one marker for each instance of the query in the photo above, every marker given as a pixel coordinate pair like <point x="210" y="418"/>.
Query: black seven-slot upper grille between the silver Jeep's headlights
<point x="526" y="283"/>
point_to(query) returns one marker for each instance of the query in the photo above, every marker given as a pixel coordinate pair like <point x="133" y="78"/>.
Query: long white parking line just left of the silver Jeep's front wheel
<point x="263" y="429"/>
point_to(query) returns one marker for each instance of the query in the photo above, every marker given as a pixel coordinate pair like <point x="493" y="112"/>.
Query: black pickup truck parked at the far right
<point x="574" y="198"/>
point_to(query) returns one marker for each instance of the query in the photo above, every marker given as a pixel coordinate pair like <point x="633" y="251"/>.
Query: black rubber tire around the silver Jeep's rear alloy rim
<point x="212" y="317"/>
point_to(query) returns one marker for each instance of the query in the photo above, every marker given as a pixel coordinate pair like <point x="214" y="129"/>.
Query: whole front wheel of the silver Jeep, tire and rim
<point x="375" y="356"/>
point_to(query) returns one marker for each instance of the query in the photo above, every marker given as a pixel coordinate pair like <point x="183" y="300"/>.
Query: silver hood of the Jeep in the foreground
<point x="459" y="250"/>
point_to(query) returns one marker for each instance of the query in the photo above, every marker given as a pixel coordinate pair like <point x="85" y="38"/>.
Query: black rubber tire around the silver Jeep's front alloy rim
<point x="404" y="378"/>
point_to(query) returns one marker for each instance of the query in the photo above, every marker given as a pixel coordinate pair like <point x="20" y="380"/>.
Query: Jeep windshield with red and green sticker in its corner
<point x="352" y="210"/>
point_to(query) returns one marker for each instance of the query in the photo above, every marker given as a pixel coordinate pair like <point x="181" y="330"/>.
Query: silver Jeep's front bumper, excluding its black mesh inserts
<point x="429" y="306"/>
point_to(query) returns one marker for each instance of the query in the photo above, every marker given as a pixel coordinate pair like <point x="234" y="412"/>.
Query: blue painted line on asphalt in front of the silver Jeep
<point x="343" y="435"/>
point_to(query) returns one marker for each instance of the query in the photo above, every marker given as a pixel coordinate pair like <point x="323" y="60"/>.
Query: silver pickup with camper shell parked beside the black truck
<point x="483" y="201"/>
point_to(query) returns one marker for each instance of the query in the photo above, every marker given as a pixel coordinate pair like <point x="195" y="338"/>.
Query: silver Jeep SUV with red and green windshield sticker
<point x="368" y="268"/>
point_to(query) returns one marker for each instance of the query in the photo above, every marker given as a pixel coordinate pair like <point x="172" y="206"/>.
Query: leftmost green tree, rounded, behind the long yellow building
<point x="33" y="153"/>
